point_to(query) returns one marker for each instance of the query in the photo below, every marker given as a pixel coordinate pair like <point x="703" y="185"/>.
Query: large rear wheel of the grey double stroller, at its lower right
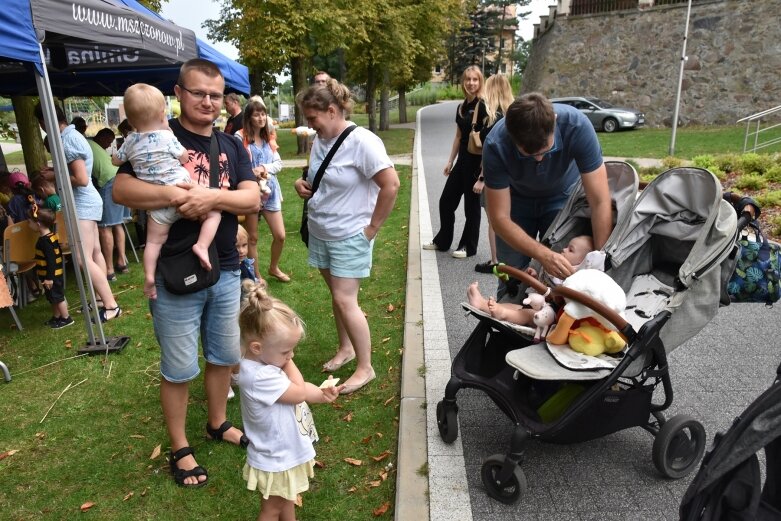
<point x="678" y="446"/>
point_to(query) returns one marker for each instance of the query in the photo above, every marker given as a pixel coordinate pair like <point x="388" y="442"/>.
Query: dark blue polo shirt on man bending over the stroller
<point x="576" y="150"/>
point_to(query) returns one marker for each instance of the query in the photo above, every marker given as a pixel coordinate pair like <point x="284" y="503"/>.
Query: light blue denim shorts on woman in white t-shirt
<point x="349" y="258"/>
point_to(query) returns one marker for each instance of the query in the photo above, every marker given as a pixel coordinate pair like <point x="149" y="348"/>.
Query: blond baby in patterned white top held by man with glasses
<point x="157" y="157"/>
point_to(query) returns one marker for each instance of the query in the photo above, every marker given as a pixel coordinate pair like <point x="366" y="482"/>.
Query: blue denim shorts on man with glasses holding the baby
<point x="211" y="314"/>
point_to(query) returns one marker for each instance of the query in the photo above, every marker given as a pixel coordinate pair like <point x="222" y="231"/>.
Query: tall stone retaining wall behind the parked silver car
<point x="632" y="58"/>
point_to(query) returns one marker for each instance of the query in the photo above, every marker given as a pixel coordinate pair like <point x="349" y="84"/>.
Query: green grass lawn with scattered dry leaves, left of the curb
<point x="97" y="442"/>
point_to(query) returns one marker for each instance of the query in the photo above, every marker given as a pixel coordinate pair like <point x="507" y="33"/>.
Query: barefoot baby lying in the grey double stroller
<point x="575" y="253"/>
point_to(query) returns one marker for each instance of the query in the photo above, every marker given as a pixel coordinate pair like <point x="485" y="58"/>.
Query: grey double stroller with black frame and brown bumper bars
<point x="670" y="251"/>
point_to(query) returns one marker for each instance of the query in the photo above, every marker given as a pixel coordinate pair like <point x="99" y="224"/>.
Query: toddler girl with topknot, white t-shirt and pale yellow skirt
<point x="277" y="421"/>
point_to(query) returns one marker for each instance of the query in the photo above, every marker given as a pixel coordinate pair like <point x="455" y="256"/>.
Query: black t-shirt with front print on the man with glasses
<point x="235" y="167"/>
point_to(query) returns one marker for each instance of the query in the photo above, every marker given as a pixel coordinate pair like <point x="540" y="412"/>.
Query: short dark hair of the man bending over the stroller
<point x="530" y="121"/>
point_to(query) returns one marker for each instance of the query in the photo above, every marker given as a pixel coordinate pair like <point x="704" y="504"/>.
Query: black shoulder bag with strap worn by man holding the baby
<point x="181" y="270"/>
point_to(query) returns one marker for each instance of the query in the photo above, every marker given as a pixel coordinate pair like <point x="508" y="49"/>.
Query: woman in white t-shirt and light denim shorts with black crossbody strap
<point x="355" y="196"/>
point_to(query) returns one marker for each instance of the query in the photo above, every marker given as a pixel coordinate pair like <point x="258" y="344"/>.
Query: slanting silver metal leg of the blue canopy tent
<point x="68" y="203"/>
